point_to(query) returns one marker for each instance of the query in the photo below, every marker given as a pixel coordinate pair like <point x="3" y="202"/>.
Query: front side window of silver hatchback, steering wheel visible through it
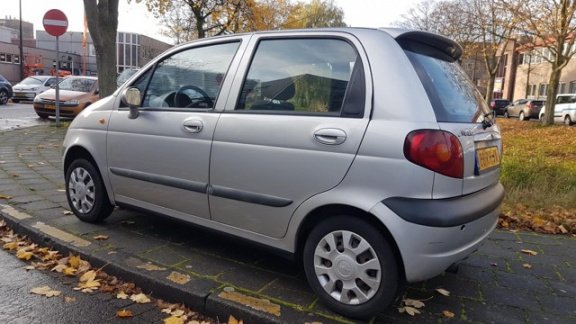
<point x="188" y="79"/>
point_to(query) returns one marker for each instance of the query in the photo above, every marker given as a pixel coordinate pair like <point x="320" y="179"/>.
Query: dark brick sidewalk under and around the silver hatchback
<point x="492" y="286"/>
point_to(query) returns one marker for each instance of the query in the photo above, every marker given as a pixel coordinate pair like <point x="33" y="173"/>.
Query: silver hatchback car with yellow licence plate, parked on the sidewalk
<point x="365" y="153"/>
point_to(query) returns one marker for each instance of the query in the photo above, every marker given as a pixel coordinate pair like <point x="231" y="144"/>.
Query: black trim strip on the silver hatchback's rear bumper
<point x="447" y="212"/>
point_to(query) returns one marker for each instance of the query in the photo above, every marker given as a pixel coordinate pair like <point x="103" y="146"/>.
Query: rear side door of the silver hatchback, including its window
<point x="291" y="132"/>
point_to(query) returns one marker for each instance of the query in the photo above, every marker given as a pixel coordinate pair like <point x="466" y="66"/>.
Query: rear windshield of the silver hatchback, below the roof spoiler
<point x="453" y="97"/>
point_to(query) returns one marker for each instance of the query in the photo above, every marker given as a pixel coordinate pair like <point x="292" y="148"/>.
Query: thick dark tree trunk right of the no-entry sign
<point x="102" y="17"/>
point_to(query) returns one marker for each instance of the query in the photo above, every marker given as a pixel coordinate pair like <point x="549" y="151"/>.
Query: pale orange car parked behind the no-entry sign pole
<point x="76" y="93"/>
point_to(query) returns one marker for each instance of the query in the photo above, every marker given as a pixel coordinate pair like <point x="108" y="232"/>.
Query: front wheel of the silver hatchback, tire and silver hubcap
<point x="86" y="193"/>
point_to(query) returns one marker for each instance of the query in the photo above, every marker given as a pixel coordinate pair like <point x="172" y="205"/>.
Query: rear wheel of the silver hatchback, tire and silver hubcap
<point x="380" y="268"/>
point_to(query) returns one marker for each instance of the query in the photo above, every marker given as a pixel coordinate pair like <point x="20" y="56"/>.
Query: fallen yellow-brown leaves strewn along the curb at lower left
<point x="90" y="280"/>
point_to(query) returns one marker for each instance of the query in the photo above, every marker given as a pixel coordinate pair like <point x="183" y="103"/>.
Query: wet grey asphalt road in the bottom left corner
<point x="19" y="305"/>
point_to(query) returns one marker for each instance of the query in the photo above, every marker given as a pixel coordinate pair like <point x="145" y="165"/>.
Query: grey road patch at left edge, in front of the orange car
<point x="19" y="115"/>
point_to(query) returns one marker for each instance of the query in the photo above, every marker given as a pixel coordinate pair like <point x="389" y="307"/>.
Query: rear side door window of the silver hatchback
<point x="300" y="75"/>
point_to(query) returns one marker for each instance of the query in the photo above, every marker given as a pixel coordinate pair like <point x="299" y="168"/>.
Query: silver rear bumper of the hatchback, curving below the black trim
<point x="427" y="251"/>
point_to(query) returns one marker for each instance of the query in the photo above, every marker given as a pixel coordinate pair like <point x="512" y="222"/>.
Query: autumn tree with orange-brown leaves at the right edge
<point x="552" y="23"/>
